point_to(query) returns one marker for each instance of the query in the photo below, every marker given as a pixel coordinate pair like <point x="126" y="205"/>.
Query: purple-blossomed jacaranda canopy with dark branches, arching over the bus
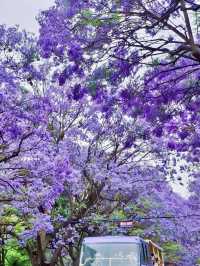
<point x="92" y="113"/>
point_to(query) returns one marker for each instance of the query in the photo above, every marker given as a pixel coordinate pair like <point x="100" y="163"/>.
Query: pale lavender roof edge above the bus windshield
<point x="112" y="239"/>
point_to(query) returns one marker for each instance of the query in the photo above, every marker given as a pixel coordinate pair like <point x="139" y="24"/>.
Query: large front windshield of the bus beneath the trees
<point x="110" y="254"/>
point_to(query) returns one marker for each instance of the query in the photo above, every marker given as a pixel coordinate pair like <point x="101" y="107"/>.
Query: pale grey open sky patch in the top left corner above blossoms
<point x="22" y="12"/>
